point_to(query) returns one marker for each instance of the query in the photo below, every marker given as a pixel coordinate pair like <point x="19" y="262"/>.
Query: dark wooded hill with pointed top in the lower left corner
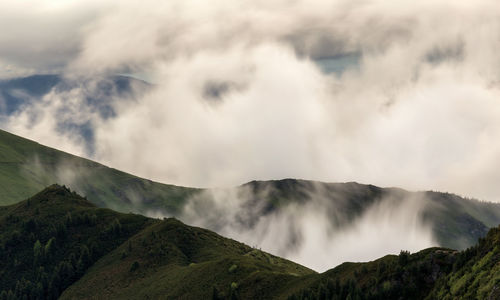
<point x="49" y="240"/>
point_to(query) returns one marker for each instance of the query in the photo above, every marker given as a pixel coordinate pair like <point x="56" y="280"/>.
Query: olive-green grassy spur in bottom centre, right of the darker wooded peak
<point x="180" y="261"/>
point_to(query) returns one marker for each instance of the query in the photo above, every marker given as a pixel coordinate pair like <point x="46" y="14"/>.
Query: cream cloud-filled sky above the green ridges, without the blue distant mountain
<point x="417" y="108"/>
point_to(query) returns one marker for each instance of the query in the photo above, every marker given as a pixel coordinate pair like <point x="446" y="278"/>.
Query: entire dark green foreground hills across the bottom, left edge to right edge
<point x="57" y="242"/>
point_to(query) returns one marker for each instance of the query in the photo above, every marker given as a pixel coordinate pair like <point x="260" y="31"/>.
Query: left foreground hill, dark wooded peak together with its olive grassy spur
<point x="49" y="240"/>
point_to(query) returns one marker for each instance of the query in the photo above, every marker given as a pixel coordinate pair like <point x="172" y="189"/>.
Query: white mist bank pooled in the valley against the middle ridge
<point x="316" y="230"/>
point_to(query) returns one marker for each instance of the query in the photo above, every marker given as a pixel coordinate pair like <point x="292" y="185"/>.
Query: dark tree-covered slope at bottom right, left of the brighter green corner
<point x="391" y="277"/>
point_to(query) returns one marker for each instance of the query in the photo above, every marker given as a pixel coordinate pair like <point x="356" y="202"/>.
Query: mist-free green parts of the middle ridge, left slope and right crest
<point x="26" y="167"/>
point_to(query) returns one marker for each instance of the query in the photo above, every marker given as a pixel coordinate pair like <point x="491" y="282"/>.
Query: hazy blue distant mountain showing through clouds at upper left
<point x="100" y="95"/>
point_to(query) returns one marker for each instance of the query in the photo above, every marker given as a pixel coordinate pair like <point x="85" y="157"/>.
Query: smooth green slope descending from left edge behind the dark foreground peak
<point x="26" y="167"/>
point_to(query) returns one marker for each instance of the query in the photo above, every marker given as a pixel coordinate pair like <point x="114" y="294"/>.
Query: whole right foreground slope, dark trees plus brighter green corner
<point x="434" y="273"/>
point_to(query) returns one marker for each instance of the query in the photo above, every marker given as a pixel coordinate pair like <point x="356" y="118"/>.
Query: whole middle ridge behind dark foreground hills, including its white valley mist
<point x="315" y="223"/>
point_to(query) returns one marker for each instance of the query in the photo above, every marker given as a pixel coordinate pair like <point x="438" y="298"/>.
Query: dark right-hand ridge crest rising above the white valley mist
<point x="456" y="222"/>
